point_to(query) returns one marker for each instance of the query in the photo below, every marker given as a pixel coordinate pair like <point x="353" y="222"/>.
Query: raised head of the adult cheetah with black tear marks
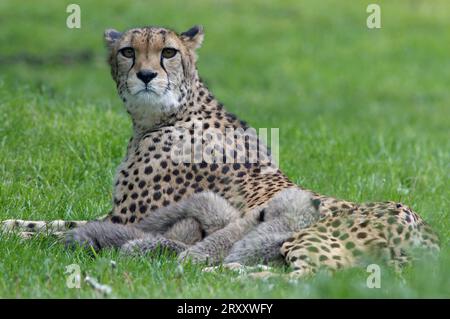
<point x="154" y="69"/>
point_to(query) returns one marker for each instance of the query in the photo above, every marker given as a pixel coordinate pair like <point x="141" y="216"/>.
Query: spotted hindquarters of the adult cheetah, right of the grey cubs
<point x="355" y="234"/>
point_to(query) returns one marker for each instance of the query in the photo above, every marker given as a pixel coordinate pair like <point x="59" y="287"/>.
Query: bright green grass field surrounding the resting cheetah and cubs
<point x="363" y="115"/>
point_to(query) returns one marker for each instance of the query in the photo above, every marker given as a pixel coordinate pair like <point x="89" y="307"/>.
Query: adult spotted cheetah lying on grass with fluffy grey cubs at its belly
<point x="185" y="144"/>
